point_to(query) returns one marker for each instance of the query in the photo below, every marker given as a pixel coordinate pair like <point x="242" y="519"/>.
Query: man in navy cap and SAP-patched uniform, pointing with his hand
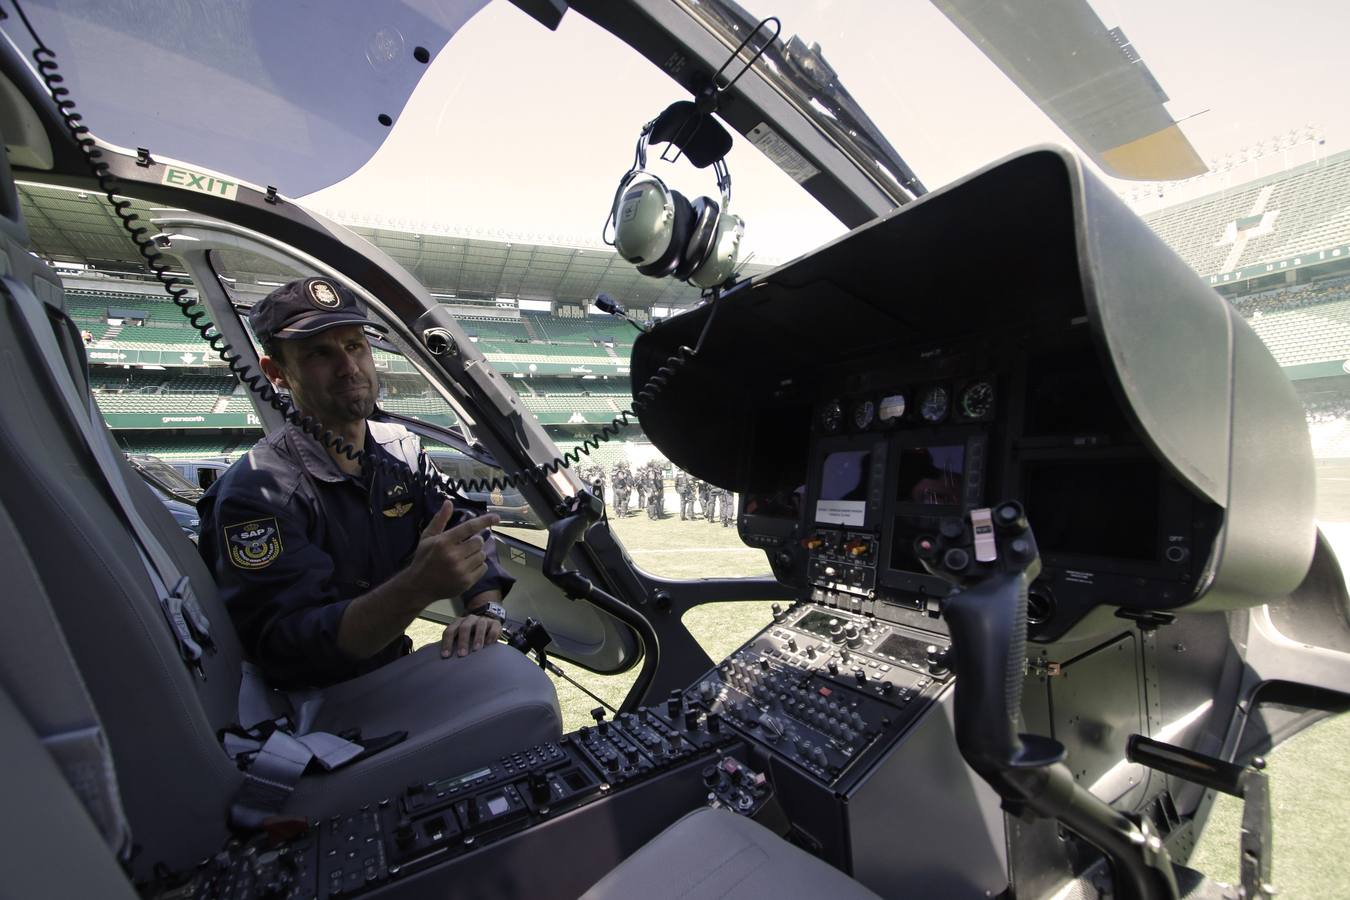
<point x="325" y="562"/>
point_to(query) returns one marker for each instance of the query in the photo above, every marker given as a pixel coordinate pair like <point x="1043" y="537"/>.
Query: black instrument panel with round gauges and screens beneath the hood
<point x="897" y="449"/>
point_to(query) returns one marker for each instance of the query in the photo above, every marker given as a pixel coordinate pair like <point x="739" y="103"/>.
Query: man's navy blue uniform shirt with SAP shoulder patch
<point x="292" y="539"/>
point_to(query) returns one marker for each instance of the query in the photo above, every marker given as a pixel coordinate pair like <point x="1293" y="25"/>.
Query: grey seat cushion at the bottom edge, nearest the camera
<point x="715" y="853"/>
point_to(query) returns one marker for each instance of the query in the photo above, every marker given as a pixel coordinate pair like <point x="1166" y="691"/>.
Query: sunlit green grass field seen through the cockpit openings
<point x="1310" y="774"/>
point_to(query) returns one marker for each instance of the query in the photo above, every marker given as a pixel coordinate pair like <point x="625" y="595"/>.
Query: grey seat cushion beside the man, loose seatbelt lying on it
<point x="460" y="713"/>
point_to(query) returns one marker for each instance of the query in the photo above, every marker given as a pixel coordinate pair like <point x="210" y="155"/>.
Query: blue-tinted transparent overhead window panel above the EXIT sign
<point x="294" y="95"/>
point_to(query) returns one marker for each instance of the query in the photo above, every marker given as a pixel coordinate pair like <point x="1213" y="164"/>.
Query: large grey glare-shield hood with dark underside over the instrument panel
<point x="1035" y="248"/>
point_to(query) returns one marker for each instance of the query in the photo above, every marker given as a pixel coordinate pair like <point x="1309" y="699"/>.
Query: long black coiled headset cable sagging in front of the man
<point x="259" y="384"/>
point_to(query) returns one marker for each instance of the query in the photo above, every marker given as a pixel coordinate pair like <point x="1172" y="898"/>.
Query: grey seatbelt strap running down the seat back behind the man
<point x="178" y="601"/>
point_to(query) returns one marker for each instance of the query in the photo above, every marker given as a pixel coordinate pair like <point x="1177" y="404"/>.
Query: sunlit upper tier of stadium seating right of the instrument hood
<point x="1282" y="222"/>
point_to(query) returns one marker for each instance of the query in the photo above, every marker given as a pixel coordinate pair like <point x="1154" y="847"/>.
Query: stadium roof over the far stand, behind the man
<point x="79" y="227"/>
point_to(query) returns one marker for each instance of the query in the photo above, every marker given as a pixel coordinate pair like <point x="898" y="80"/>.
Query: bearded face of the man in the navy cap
<point x="330" y="376"/>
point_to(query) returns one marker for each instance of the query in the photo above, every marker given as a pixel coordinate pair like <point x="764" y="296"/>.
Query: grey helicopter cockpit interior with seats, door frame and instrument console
<point x="1046" y="561"/>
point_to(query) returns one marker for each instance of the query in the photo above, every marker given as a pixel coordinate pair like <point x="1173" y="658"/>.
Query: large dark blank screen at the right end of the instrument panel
<point x="1098" y="508"/>
